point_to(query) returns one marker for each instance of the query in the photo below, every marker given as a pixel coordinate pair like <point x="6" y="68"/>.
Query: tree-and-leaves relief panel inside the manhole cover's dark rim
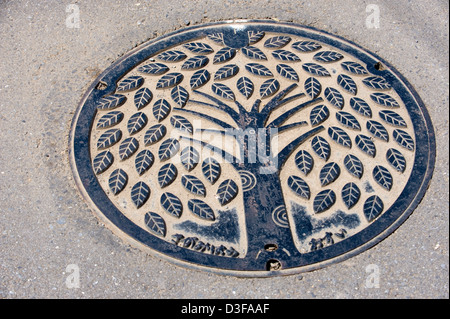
<point x="240" y="130"/>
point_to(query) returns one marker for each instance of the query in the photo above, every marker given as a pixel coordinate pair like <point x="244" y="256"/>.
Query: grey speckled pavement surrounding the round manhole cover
<point x="45" y="67"/>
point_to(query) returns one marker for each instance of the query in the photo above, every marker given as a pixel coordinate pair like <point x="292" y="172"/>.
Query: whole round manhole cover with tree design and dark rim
<point x="252" y="148"/>
